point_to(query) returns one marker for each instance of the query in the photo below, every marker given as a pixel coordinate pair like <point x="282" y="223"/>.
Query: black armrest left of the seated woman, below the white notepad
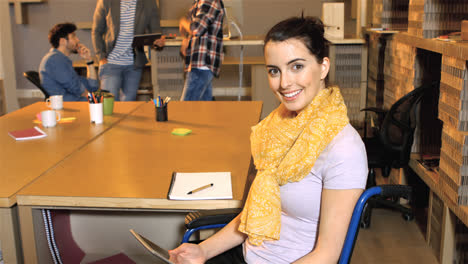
<point x="209" y="217"/>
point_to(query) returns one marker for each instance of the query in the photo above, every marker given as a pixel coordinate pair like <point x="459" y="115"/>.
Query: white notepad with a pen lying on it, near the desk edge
<point x="200" y="186"/>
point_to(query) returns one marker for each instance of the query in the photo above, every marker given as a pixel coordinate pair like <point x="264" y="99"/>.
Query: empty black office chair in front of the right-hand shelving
<point x="390" y="147"/>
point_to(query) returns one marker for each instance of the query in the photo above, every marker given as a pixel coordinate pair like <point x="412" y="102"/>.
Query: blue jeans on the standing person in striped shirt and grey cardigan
<point x="116" y="77"/>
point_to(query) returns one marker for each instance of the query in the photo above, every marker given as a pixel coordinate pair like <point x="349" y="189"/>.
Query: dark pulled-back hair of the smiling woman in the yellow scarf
<point x="308" y="29"/>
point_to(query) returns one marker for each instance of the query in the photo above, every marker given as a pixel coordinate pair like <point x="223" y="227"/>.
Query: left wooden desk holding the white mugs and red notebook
<point x="24" y="161"/>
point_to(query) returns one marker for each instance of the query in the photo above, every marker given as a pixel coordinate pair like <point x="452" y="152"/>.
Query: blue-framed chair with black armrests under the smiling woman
<point x="218" y="218"/>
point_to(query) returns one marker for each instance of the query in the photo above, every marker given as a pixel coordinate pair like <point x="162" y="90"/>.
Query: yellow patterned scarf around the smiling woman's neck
<point x="285" y="149"/>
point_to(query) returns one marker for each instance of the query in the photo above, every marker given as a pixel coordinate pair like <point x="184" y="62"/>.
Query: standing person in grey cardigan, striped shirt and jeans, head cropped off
<point x="115" y="23"/>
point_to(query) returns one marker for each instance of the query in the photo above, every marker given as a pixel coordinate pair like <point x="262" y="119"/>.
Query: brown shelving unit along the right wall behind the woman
<point x="413" y="58"/>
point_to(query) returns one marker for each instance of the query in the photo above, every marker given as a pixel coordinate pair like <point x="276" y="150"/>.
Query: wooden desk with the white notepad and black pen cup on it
<point x="140" y="156"/>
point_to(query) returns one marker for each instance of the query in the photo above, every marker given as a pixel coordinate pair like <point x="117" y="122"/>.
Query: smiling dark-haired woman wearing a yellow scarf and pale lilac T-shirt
<point x="311" y="163"/>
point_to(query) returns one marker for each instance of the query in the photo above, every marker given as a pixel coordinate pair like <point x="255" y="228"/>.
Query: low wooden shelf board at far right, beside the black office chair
<point x="428" y="177"/>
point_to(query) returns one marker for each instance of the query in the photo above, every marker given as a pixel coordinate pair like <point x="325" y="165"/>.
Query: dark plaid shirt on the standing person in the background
<point x="205" y="47"/>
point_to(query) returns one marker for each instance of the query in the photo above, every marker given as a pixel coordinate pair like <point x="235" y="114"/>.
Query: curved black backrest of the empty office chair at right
<point x="397" y="129"/>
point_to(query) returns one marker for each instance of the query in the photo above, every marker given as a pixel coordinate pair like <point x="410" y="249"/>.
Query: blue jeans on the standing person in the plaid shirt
<point x="198" y="86"/>
